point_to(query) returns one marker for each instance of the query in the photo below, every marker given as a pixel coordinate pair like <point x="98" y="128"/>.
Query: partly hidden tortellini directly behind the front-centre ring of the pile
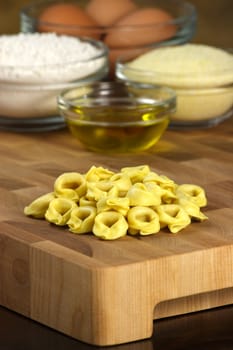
<point x="121" y="205"/>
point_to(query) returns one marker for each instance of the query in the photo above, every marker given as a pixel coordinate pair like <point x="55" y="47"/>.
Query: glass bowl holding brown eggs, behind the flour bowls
<point x="125" y="26"/>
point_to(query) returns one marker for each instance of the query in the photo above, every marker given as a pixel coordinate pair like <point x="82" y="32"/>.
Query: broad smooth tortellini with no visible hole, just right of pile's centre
<point x="140" y="195"/>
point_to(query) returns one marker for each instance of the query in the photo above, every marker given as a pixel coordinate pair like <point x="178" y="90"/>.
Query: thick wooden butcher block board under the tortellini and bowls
<point x="109" y="292"/>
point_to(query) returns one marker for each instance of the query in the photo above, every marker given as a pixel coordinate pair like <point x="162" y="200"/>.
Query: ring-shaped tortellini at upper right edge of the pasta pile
<point x="195" y="193"/>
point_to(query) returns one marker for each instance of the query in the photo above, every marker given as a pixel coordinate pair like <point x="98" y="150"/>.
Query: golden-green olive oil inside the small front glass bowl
<point x="118" y="129"/>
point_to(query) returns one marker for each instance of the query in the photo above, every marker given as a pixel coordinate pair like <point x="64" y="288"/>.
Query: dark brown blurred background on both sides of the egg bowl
<point x="215" y="20"/>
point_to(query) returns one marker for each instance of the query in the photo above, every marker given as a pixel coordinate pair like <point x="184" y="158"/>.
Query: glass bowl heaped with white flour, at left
<point x="35" y="67"/>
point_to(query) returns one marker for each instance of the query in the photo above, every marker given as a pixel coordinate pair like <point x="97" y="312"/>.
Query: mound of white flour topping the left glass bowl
<point x="46" y="57"/>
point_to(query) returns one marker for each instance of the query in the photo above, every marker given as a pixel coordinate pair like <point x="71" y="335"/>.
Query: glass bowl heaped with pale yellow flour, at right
<point x="201" y="75"/>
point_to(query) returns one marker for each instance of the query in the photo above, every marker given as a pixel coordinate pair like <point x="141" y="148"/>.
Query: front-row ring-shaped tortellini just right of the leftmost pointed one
<point x="59" y="211"/>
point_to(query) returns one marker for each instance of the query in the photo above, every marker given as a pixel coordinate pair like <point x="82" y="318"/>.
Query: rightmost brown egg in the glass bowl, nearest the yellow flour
<point x="132" y="37"/>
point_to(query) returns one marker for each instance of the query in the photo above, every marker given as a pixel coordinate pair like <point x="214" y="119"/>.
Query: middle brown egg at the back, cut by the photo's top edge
<point x="107" y="12"/>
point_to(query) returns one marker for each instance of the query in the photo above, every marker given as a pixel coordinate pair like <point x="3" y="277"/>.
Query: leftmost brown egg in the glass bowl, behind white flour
<point x="56" y="17"/>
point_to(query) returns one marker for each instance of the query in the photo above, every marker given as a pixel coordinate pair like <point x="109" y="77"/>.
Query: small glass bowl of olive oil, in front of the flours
<point x="117" y="117"/>
